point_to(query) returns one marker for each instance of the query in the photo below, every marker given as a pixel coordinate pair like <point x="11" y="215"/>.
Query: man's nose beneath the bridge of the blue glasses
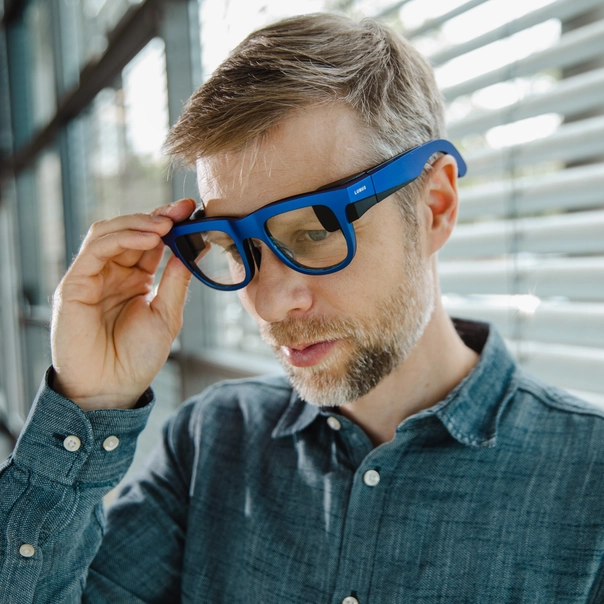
<point x="276" y="290"/>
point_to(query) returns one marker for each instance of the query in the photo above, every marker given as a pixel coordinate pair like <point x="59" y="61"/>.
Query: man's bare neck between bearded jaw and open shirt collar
<point x="439" y="361"/>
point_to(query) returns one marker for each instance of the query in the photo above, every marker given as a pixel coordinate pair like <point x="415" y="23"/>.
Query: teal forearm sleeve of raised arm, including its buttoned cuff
<point x="52" y="486"/>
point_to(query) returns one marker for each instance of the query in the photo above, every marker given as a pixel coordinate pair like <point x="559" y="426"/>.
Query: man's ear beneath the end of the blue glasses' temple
<point x="440" y="202"/>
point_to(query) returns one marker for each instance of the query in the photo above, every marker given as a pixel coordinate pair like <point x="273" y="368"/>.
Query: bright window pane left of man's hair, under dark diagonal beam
<point x="126" y="129"/>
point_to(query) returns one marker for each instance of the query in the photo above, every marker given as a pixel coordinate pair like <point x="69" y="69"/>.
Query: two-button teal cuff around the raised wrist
<point x="63" y="443"/>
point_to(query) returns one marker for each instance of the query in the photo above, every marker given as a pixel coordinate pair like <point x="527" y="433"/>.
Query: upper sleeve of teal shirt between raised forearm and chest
<point x="147" y="523"/>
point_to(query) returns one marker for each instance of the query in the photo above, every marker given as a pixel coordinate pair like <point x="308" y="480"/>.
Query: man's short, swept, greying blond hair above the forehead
<point x="315" y="60"/>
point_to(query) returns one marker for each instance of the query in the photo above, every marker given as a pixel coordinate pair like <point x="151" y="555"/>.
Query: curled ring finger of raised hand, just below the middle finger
<point x="93" y="258"/>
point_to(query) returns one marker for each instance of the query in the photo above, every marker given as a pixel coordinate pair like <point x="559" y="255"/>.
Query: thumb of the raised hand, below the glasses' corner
<point x="171" y="294"/>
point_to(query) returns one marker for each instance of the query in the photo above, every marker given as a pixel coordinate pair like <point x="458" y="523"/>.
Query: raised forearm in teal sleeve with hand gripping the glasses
<point x="110" y="337"/>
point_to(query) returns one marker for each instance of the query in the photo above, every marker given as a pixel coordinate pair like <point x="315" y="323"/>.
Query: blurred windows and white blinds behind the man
<point x="89" y="89"/>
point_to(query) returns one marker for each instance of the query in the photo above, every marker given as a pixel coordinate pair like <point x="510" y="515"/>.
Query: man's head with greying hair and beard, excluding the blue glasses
<point x="298" y="105"/>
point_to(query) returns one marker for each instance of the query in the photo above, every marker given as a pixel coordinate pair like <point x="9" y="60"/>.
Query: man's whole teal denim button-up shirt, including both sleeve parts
<point x="493" y="495"/>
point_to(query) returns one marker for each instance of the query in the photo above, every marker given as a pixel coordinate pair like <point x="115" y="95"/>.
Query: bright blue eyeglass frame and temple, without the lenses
<point x="348" y="200"/>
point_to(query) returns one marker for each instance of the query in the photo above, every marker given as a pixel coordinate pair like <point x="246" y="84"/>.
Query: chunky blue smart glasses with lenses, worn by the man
<point x="311" y="233"/>
